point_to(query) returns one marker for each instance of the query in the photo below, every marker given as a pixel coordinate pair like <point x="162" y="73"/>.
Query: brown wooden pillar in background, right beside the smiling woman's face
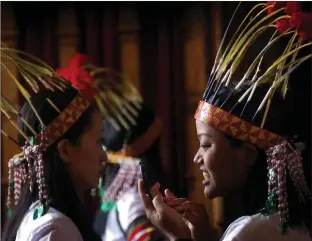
<point x="195" y="80"/>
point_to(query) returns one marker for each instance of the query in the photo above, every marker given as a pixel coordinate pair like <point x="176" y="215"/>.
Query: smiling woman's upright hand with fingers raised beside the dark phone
<point x="165" y="218"/>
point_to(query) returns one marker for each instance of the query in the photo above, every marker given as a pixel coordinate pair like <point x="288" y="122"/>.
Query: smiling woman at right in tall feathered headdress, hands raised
<point x="250" y="143"/>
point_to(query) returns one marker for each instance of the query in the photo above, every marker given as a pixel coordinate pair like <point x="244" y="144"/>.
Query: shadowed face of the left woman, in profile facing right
<point x="85" y="160"/>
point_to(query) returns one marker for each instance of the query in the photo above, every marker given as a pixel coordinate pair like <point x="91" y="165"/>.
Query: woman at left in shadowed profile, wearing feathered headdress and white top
<point x="60" y="131"/>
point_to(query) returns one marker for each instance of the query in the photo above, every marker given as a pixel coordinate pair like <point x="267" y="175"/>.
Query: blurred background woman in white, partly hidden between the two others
<point x="122" y="216"/>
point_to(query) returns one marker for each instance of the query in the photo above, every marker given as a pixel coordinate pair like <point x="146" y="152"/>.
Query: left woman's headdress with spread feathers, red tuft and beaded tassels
<point x="99" y="84"/>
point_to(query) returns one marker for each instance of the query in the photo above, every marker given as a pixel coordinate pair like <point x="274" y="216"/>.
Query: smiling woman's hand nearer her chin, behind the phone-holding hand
<point x="194" y="214"/>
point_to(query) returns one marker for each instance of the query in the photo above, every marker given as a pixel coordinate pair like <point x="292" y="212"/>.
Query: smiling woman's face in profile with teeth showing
<point x="224" y="166"/>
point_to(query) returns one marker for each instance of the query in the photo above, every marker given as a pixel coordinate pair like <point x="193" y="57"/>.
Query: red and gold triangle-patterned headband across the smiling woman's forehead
<point x="235" y="127"/>
